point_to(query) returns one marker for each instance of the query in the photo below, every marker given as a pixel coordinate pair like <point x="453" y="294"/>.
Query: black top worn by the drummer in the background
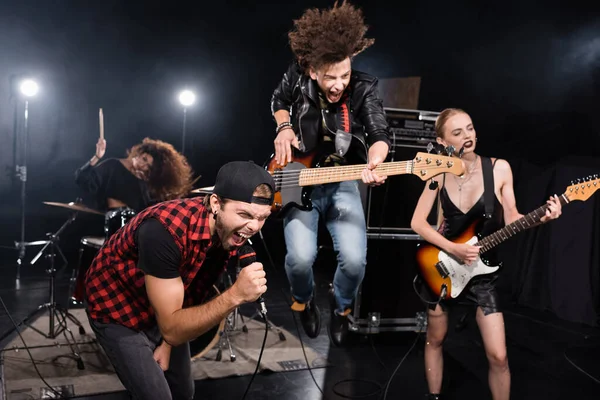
<point x="111" y="179"/>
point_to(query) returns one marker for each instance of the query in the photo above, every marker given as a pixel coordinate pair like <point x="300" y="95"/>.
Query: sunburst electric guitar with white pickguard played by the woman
<point x="447" y="277"/>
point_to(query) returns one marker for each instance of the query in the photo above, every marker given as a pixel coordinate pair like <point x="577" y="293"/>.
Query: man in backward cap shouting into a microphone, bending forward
<point x="146" y="288"/>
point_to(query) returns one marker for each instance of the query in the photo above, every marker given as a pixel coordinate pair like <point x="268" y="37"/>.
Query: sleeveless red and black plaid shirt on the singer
<point x="115" y="286"/>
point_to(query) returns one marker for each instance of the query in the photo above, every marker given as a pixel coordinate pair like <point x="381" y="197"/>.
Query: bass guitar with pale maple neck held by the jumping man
<point x="293" y="180"/>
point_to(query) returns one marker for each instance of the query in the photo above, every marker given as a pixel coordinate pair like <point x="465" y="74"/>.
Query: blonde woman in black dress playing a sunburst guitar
<point x="463" y="202"/>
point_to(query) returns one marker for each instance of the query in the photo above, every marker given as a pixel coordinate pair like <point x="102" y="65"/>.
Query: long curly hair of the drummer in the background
<point x="170" y="175"/>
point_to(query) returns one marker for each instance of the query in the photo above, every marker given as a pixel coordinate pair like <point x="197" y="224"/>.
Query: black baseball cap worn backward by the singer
<point x="237" y="180"/>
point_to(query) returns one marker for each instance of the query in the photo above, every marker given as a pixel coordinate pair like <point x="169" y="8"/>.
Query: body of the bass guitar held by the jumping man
<point x="293" y="196"/>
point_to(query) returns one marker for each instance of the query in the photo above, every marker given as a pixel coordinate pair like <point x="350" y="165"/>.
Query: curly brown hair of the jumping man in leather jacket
<point x="324" y="37"/>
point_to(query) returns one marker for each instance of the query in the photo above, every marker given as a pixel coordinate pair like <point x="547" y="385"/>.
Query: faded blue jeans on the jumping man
<point x="340" y="204"/>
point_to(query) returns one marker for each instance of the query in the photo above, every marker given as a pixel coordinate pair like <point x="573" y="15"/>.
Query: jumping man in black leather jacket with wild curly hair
<point x="322" y="99"/>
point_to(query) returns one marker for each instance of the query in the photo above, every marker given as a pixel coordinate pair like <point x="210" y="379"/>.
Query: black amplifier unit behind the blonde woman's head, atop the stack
<point x="411" y="125"/>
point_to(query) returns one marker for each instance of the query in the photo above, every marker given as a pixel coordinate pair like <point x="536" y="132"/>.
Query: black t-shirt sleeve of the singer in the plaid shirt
<point x="158" y="253"/>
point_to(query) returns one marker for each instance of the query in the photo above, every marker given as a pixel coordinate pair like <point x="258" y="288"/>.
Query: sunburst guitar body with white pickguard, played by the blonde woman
<point x="441" y="270"/>
